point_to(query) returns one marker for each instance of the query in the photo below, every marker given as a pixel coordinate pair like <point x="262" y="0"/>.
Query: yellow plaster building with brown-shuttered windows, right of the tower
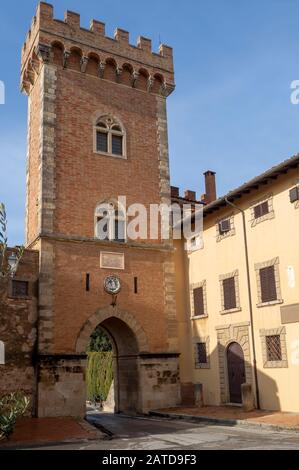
<point x="238" y="296"/>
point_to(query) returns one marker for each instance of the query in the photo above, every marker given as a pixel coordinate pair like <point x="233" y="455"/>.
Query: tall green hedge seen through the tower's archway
<point x="99" y="375"/>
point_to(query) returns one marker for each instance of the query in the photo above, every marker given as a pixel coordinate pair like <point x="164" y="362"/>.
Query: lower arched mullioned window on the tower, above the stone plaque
<point x="110" y="222"/>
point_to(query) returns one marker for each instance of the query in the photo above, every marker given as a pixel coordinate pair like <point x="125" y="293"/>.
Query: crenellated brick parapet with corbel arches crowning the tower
<point x="65" y="44"/>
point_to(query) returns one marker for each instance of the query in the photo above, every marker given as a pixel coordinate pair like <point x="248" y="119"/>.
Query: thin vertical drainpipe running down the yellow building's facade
<point x="257" y="393"/>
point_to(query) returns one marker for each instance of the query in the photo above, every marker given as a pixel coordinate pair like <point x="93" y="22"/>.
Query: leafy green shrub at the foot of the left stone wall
<point x="12" y="407"/>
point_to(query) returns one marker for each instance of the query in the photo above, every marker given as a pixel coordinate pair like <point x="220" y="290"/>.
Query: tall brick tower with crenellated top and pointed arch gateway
<point x="97" y="130"/>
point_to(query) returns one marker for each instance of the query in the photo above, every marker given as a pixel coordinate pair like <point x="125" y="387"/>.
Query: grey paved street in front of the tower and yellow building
<point x="159" y="434"/>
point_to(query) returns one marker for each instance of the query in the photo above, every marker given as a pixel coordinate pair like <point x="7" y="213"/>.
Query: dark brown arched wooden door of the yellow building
<point x="236" y="372"/>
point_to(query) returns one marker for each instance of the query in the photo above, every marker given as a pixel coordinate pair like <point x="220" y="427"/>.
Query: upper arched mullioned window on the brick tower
<point x="110" y="137"/>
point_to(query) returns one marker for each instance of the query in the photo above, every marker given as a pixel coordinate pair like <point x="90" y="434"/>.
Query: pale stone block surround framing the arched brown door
<point x="227" y="334"/>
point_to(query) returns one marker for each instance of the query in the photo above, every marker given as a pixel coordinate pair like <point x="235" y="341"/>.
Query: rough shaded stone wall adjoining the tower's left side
<point x="18" y="330"/>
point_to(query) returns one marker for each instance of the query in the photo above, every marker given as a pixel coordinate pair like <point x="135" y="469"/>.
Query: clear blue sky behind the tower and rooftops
<point x="231" y="111"/>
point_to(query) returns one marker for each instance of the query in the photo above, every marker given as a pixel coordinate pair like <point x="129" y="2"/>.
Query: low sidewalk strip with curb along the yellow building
<point x="225" y="422"/>
